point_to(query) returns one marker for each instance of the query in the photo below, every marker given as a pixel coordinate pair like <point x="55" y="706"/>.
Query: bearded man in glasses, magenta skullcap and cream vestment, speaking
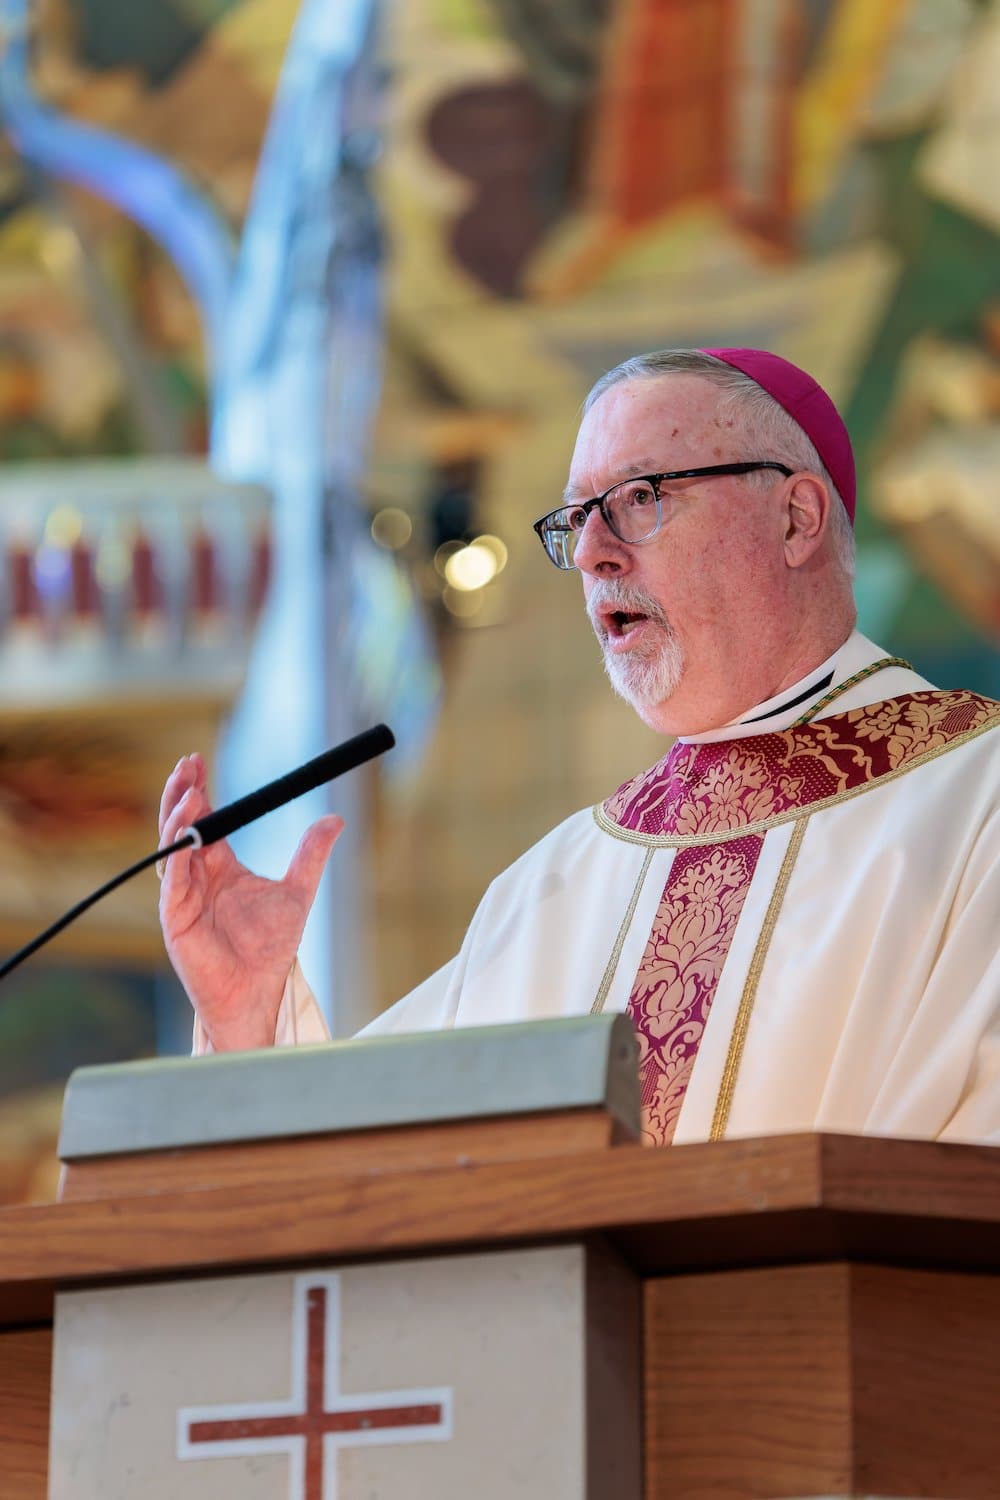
<point x="800" y="905"/>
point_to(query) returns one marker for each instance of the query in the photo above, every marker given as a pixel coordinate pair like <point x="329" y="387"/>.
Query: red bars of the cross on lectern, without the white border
<point x="316" y="1420"/>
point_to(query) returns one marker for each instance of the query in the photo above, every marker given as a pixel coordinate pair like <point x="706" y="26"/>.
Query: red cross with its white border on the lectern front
<point x="317" y="1409"/>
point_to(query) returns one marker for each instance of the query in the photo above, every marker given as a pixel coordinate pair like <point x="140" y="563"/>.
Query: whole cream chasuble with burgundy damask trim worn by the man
<point x="801" y="919"/>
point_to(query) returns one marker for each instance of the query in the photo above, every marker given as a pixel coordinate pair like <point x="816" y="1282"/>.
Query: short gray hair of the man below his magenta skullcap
<point x="761" y="415"/>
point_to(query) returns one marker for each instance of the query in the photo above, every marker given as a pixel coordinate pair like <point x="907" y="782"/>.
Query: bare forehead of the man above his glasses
<point x="653" y="424"/>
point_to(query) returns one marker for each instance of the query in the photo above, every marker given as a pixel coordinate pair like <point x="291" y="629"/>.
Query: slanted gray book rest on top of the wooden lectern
<point x="419" y="1079"/>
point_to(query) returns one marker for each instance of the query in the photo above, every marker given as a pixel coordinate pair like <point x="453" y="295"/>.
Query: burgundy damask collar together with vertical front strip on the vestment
<point x="722" y="790"/>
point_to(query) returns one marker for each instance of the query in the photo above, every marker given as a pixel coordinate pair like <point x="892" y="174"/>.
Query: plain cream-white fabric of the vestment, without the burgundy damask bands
<point x="864" y="977"/>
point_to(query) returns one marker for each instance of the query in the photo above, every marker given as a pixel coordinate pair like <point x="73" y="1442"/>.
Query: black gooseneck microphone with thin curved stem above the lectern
<point x="229" y="820"/>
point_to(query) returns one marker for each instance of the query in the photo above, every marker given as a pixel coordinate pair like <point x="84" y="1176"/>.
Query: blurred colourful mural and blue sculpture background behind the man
<point x="298" y="310"/>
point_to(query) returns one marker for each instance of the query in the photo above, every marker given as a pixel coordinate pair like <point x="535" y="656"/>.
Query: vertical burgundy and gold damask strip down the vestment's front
<point x="680" y="973"/>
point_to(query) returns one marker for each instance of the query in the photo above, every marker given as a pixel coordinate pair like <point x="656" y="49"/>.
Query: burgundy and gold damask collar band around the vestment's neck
<point x="731" y="785"/>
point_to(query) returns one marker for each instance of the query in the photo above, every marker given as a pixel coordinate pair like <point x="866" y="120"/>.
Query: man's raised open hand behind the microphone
<point x="230" y="934"/>
